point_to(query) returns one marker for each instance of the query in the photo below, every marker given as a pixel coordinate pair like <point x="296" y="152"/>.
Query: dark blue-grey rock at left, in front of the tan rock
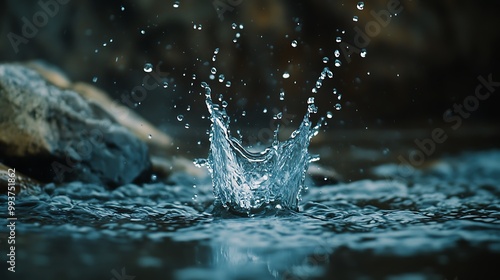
<point x="54" y="134"/>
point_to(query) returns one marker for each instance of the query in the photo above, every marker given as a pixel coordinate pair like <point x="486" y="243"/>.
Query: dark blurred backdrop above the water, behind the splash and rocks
<point x="417" y="66"/>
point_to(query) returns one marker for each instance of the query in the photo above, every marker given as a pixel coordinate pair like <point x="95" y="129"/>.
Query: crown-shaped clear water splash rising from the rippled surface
<point x="246" y="182"/>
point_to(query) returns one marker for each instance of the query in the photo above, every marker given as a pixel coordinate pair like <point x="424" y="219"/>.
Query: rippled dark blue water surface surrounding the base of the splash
<point x="443" y="223"/>
